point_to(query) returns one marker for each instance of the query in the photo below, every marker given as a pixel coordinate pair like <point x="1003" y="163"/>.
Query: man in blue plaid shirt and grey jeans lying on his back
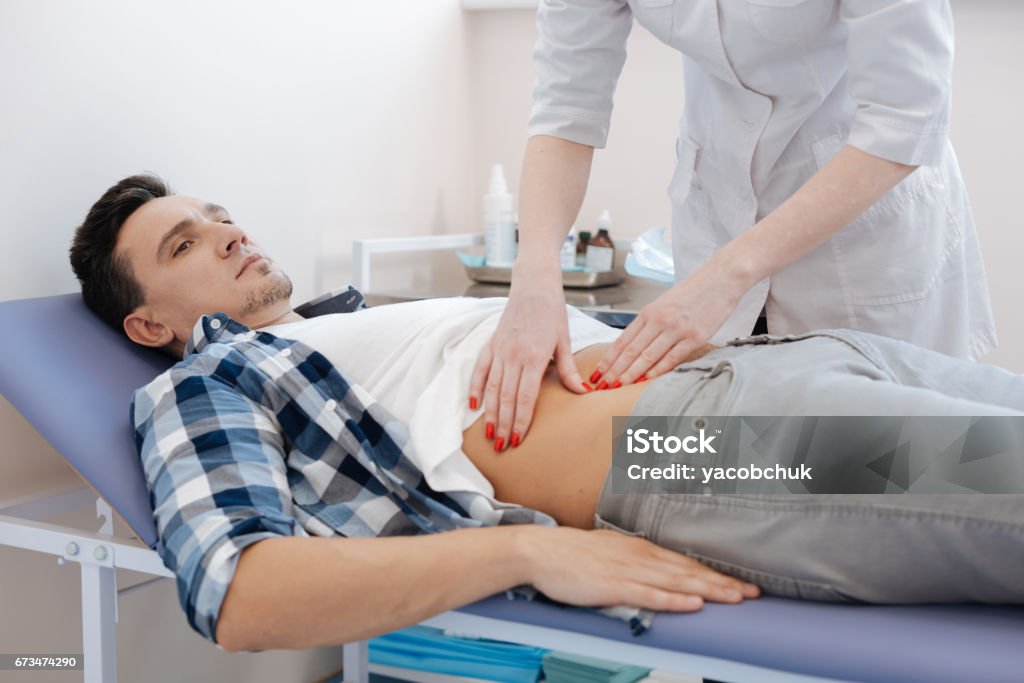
<point x="294" y="464"/>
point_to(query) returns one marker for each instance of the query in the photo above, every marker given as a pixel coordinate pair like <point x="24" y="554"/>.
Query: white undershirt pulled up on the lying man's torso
<point x="417" y="359"/>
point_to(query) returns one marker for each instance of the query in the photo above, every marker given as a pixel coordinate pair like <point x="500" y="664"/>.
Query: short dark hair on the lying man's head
<point x="109" y="286"/>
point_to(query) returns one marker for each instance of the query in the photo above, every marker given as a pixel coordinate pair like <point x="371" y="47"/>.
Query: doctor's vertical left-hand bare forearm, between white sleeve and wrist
<point x="554" y="180"/>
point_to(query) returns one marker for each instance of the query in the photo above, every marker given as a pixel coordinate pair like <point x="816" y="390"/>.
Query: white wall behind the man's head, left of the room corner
<point x="314" y="122"/>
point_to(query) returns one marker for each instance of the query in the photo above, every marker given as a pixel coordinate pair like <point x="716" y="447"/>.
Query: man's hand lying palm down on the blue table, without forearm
<point x="603" y="569"/>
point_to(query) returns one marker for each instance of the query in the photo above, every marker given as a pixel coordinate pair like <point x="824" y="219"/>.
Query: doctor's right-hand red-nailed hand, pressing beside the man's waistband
<point x="670" y="329"/>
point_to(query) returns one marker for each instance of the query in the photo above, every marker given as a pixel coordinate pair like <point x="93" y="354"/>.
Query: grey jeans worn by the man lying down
<point x="860" y="548"/>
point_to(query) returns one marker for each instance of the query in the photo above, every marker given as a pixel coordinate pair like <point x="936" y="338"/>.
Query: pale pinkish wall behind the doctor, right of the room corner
<point x="631" y="175"/>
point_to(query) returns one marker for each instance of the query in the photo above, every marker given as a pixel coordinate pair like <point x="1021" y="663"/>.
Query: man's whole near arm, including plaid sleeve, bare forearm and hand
<point x="251" y="578"/>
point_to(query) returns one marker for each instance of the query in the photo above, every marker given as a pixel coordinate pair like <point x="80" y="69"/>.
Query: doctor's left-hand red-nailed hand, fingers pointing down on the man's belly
<point x="533" y="330"/>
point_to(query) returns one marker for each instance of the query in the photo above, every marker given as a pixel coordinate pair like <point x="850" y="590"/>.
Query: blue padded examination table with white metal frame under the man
<point x="72" y="378"/>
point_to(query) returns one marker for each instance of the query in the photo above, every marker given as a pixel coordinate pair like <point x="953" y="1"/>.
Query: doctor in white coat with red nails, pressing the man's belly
<point x="815" y="179"/>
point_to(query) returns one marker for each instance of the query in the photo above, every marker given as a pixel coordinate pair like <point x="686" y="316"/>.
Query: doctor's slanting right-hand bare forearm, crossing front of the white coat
<point x="837" y="195"/>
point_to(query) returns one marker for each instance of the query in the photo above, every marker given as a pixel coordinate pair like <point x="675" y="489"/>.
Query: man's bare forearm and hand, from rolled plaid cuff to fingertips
<point x="306" y="592"/>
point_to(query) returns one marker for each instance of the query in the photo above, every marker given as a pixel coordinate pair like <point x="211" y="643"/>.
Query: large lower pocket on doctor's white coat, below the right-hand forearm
<point x="897" y="250"/>
